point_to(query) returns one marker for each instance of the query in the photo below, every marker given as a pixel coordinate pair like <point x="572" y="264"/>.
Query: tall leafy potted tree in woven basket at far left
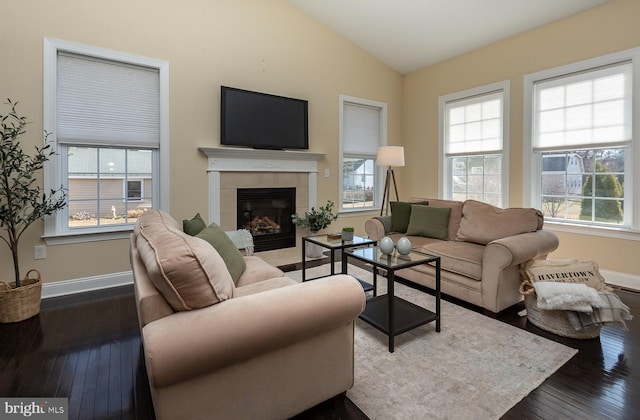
<point x="21" y="204"/>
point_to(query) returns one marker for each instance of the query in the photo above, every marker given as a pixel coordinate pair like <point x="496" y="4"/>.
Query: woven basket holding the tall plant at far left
<point x="18" y="304"/>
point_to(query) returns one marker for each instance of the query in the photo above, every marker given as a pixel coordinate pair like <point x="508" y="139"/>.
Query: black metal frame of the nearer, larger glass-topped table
<point x="414" y="315"/>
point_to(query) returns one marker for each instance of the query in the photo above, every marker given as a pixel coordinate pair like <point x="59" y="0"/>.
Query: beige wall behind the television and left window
<point x="254" y="44"/>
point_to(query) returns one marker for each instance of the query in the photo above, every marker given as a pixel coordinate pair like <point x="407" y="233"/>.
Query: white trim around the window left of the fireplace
<point x="53" y="232"/>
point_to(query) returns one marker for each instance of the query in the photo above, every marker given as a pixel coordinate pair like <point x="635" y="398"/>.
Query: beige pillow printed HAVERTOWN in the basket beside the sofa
<point x="564" y="271"/>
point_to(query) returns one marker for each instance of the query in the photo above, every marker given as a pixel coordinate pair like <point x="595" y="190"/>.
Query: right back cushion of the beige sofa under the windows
<point x="482" y="223"/>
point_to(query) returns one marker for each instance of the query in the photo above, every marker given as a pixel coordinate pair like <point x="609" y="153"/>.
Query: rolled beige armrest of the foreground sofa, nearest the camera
<point x="193" y="343"/>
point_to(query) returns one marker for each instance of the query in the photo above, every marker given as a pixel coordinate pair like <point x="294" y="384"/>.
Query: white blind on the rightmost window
<point x="591" y="108"/>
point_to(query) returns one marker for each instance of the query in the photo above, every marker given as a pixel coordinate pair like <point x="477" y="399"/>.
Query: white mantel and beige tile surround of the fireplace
<point x="231" y="168"/>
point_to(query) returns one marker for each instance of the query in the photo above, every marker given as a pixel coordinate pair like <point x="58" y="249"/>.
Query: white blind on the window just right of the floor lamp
<point x="474" y="125"/>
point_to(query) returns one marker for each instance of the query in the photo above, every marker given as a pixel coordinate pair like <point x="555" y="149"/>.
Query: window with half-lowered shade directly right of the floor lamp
<point x="472" y="143"/>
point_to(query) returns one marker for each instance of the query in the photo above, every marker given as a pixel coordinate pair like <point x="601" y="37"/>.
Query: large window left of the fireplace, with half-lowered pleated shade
<point x="106" y="112"/>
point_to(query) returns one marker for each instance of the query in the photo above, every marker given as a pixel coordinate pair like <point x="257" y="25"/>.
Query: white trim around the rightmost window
<point x="530" y="160"/>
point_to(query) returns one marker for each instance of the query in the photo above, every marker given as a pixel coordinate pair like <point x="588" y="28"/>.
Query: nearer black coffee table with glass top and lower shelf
<point x="388" y="313"/>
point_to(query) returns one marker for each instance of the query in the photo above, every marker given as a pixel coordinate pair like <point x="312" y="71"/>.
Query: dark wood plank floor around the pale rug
<point x="87" y="348"/>
